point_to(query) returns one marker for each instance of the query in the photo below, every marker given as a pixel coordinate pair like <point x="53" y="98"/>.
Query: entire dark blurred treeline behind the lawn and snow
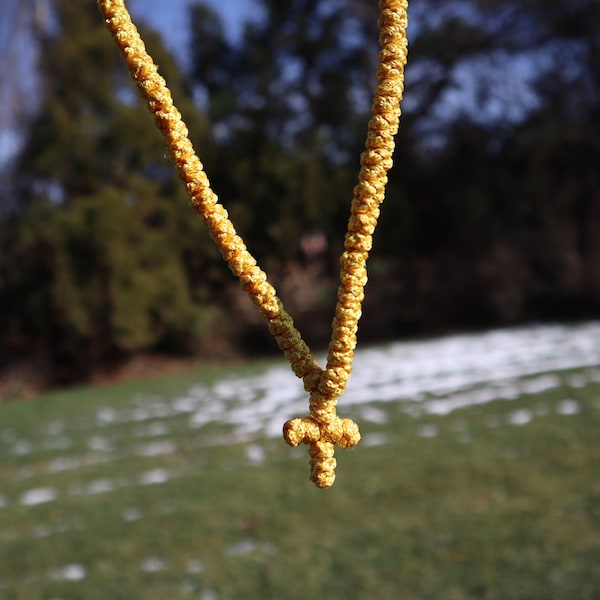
<point x="491" y="215"/>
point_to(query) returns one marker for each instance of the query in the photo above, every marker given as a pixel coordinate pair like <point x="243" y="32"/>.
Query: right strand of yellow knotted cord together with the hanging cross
<point x="322" y="429"/>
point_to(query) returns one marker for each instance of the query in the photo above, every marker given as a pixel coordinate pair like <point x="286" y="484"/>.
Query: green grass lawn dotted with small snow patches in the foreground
<point x="106" y="494"/>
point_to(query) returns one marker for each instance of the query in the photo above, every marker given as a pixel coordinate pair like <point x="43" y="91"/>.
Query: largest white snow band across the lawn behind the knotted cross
<point x="442" y="375"/>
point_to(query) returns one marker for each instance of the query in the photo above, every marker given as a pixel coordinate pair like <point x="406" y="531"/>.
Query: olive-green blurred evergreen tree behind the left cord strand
<point x="103" y="234"/>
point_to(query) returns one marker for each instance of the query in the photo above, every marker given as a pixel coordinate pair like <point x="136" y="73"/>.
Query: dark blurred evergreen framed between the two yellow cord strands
<point x="289" y="107"/>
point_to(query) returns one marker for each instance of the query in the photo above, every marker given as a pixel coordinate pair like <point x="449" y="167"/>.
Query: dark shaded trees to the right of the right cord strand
<point x="501" y="194"/>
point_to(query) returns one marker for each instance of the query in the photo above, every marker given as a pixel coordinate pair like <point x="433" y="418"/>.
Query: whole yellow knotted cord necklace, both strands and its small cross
<point x="322" y="429"/>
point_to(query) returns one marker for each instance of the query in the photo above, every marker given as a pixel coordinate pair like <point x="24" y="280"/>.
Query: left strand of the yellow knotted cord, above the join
<point x="191" y="171"/>
